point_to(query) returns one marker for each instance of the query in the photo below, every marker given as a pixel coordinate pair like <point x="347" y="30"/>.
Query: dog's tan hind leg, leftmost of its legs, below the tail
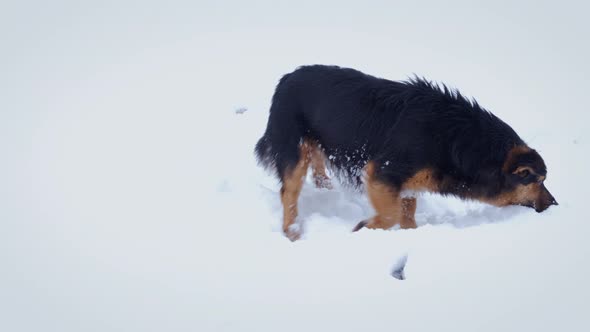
<point x="292" y="184"/>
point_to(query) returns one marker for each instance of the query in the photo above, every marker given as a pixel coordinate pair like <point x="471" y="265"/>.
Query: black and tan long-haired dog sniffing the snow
<point x="397" y="138"/>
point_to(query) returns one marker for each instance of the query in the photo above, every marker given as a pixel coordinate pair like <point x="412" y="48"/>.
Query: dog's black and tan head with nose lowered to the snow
<point x="524" y="172"/>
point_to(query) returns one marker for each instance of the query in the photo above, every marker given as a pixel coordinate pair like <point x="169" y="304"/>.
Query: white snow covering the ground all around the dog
<point x="130" y="199"/>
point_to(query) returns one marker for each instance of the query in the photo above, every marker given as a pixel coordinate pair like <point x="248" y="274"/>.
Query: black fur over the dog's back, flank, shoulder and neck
<point x="402" y="126"/>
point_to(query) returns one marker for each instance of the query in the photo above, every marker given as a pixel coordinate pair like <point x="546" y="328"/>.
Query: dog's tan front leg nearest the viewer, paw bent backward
<point x="386" y="201"/>
